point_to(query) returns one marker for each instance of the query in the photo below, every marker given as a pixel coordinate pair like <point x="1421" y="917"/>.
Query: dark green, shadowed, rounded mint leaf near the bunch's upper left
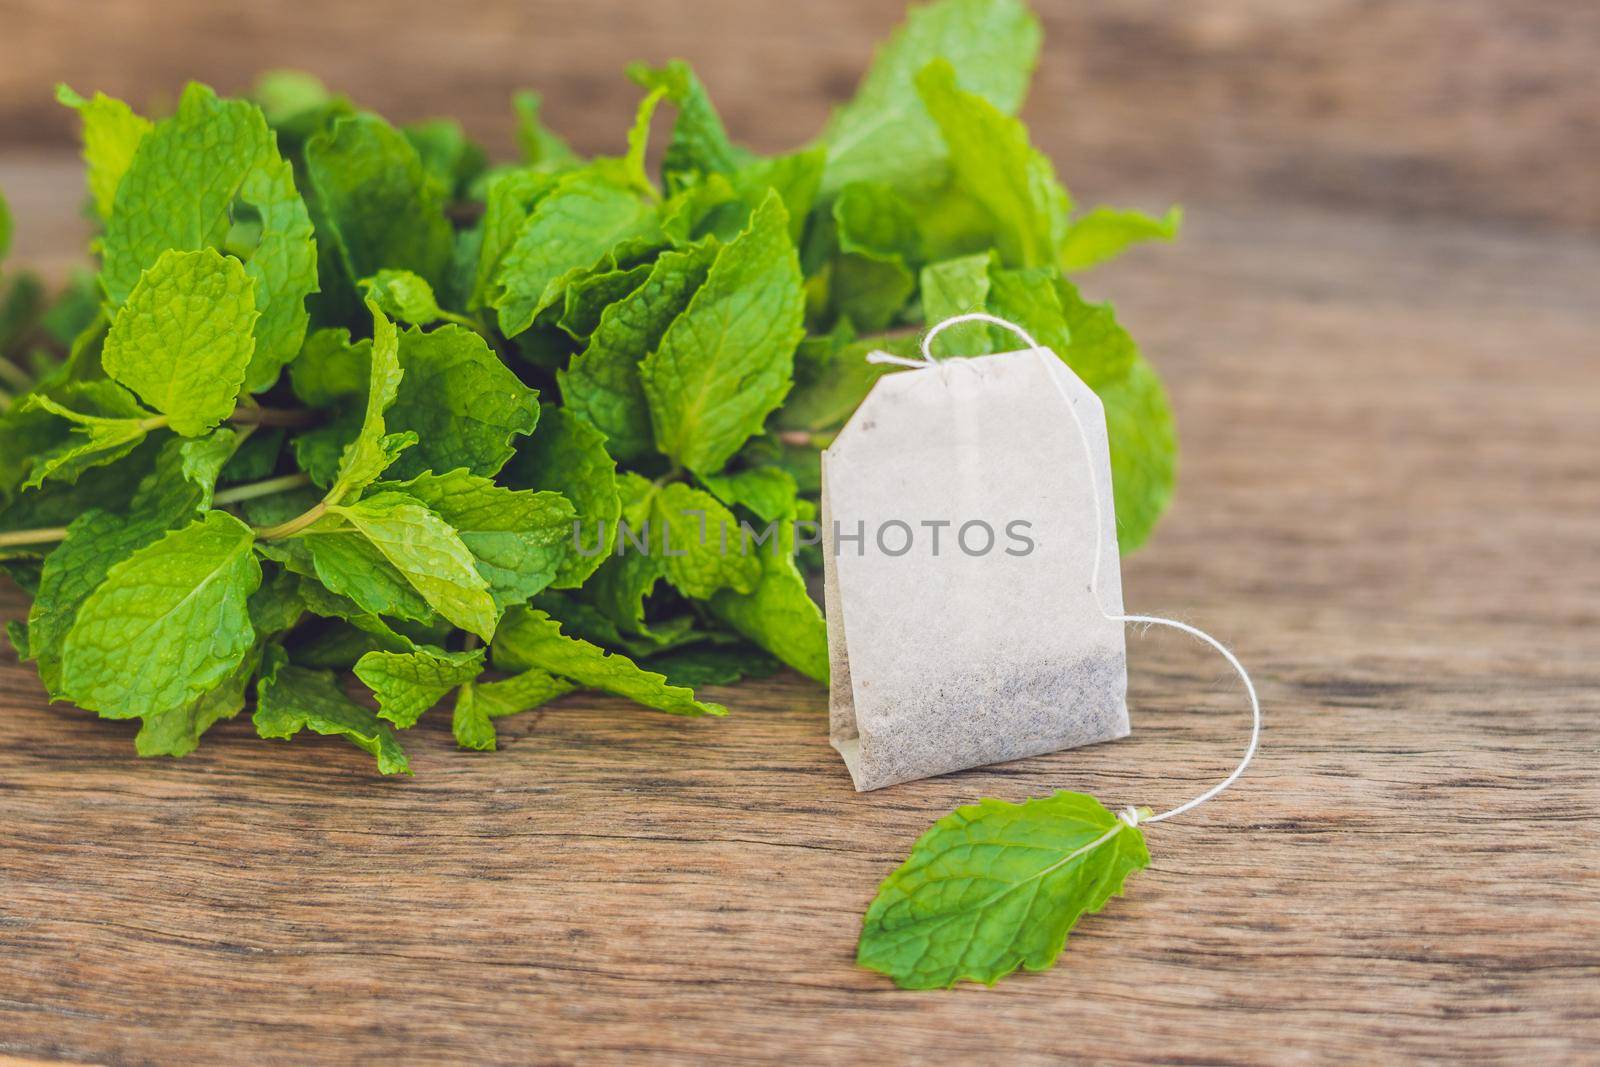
<point x="380" y="206"/>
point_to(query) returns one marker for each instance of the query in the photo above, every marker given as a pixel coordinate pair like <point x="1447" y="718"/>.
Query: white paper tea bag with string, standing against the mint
<point x="972" y="572"/>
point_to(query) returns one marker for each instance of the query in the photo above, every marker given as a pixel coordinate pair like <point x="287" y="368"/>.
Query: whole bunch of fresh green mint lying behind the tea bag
<point x="342" y="393"/>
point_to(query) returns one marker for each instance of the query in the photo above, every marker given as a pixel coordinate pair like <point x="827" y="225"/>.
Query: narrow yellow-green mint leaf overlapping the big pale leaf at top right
<point x="998" y="167"/>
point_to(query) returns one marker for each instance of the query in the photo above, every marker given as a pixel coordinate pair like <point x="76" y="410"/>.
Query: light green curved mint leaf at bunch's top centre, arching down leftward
<point x="585" y="217"/>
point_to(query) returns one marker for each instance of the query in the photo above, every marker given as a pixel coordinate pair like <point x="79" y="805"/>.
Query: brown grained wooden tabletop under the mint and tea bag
<point x="1390" y="505"/>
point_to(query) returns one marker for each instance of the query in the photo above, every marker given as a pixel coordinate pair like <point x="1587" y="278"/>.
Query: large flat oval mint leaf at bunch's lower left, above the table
<point x="167" y="625"/>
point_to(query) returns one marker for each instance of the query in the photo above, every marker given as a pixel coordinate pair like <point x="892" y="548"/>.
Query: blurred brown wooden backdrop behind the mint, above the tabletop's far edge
<point x="1482" y="111"/>
